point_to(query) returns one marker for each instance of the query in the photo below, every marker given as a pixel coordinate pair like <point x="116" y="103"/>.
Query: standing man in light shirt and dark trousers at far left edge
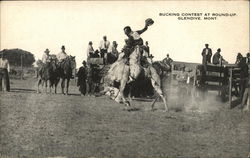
<point x="4" y="72"/>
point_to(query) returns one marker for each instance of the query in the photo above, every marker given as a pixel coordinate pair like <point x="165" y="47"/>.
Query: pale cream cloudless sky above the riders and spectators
<point x="37" y="25"/>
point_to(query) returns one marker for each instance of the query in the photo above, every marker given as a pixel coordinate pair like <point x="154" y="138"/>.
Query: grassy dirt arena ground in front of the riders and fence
<point x="52" y="125"/>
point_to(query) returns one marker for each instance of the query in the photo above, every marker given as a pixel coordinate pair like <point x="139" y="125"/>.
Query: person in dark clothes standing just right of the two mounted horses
<point x="82" y="77"/>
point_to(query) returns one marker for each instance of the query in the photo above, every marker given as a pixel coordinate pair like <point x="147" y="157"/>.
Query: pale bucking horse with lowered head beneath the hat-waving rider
<point x="122" y="73"/>
